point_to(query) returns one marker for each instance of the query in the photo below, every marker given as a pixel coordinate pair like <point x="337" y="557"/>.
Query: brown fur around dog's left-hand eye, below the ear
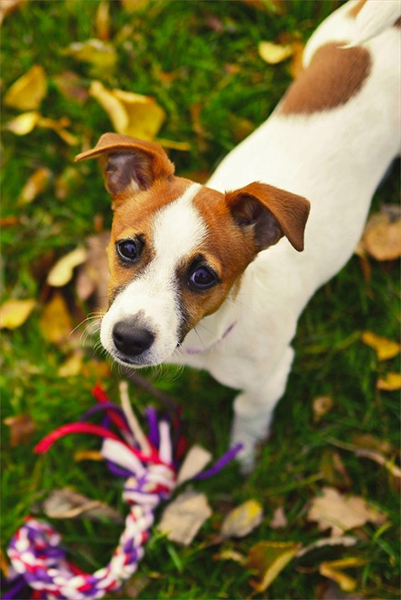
<point x="132" y="218"/>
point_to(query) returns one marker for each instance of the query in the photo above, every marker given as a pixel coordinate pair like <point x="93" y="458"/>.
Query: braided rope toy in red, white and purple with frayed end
<point x="150" y="466"/>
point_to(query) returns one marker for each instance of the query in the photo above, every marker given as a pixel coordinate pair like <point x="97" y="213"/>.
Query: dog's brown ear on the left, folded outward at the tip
<point x="129" y="165"/>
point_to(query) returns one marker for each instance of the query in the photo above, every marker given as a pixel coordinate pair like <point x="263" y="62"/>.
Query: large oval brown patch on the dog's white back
<point x="334" y="76"/>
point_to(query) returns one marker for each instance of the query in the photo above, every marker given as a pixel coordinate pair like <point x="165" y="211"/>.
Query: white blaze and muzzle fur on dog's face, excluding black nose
<point x="154" y="293"/>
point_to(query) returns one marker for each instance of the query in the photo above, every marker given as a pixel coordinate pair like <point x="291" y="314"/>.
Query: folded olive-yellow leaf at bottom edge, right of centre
<point x="268" y="559"/>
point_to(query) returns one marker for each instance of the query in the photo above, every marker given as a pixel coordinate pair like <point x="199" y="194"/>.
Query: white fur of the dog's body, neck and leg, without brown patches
<point x="336" y="159"/>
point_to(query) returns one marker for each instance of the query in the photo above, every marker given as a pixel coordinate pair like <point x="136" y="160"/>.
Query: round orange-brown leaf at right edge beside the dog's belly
<point x="382" y="236"/>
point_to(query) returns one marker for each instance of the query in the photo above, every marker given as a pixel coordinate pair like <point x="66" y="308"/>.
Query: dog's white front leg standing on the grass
<point x="253" y="410"/>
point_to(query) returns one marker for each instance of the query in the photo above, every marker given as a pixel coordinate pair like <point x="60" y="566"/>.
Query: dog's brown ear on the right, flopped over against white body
<point x="269" y="213"/>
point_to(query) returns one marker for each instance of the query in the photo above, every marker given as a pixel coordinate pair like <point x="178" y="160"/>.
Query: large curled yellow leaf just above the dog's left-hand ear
<point x="131" y="114"/>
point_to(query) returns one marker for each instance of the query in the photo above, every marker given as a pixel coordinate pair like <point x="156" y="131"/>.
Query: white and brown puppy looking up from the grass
<point x="197" y="274"/>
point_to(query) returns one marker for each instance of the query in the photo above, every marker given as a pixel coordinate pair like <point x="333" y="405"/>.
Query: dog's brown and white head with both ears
<point x="177" y="248"/>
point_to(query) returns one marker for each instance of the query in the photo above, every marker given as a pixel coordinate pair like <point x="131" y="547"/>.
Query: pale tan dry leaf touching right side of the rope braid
<point x="183" y="517"/>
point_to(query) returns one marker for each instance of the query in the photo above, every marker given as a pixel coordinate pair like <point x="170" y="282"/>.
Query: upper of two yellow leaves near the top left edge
<point x="28" y="91"/>
